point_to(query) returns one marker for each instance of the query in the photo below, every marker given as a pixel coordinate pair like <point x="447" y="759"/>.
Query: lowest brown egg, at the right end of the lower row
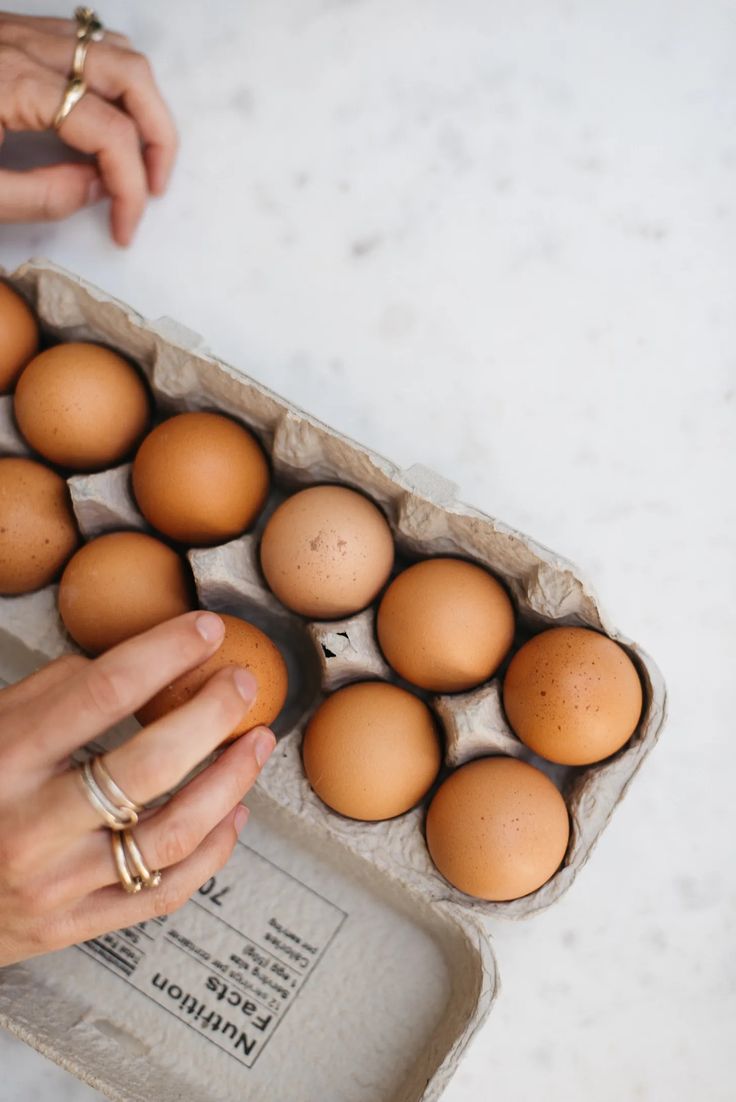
<point x="497" y="829"/>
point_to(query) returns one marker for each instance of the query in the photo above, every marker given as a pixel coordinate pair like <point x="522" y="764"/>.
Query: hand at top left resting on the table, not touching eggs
<point x="122" y="121"/>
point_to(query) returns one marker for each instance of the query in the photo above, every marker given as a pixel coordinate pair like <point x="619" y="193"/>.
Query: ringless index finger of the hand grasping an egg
<point x="115" y="686"/>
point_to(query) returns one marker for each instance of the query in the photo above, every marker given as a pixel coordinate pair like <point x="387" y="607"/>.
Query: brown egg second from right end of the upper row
<point x="446" y="625"/>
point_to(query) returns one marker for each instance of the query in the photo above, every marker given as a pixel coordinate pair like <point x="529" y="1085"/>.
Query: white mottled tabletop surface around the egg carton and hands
<point x="500" y="240"/>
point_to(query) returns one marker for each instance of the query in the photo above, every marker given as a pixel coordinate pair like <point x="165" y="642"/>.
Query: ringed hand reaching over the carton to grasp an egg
<point x="59" y="883"/>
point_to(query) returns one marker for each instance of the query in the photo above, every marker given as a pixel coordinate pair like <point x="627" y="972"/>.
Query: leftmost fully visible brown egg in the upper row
<point x="82" y="406"/>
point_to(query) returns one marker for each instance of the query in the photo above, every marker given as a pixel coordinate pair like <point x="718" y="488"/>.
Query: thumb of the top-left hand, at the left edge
<point x="50" y="193"/>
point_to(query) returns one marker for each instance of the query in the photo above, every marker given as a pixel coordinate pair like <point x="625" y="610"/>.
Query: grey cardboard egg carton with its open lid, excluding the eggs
<point x="219" y="1001"/>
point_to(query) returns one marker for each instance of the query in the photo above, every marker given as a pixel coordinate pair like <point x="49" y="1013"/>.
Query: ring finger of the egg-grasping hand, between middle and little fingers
<point x="174" y="834"/>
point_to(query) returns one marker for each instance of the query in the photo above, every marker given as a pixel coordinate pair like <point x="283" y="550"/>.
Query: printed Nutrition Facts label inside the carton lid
<point x="231" y="964"/>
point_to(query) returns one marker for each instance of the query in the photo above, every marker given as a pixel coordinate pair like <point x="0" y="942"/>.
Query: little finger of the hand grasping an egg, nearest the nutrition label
<point x="112" y="910"/>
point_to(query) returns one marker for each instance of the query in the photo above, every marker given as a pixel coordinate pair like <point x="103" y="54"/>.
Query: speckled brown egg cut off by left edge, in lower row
<point x="38" y="531"/>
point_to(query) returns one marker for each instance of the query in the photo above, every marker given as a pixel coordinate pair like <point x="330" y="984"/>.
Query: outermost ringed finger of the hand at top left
<point x="120" y="77"/>
